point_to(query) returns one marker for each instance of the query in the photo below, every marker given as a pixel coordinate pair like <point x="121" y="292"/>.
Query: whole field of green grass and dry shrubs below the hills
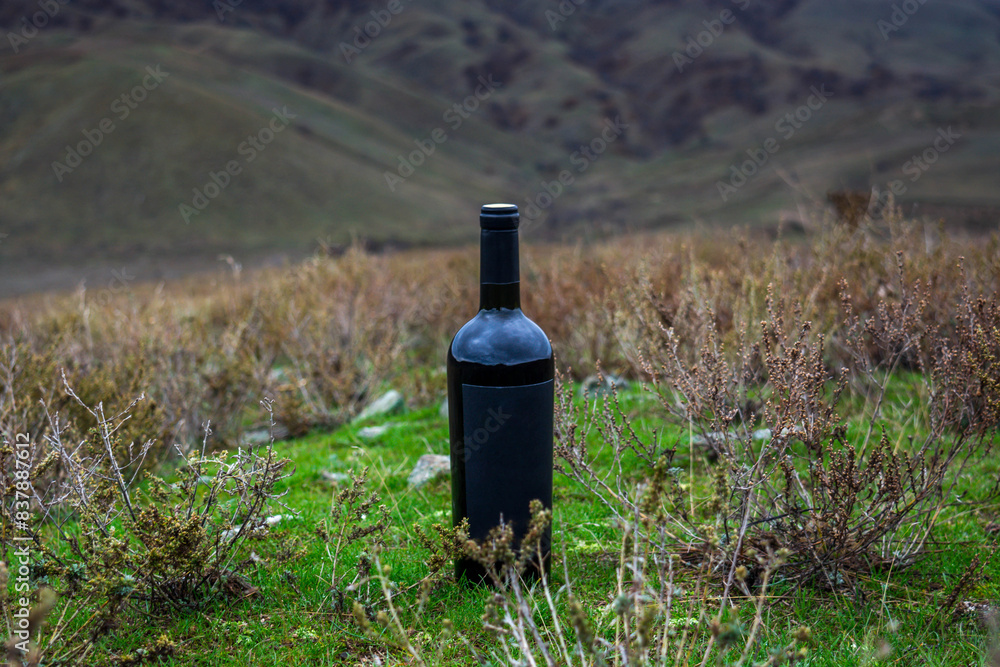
<point x="806" y="443"/>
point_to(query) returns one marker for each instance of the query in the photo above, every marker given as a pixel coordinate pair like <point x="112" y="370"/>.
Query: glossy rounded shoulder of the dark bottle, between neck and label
<point x="500" y="336"/>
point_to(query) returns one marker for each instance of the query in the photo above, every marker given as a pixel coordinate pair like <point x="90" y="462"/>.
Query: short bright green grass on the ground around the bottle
<point x="294" y="618"/>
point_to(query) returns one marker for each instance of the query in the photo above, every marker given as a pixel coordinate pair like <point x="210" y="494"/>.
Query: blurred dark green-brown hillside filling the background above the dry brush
<point x="688" y="116"/>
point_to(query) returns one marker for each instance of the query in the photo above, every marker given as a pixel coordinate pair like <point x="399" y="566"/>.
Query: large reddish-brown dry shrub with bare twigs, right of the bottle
<point x="786" y="384"/>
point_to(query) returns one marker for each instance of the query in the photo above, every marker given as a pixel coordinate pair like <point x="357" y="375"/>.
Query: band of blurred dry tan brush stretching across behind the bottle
<point x="321" y="336"/>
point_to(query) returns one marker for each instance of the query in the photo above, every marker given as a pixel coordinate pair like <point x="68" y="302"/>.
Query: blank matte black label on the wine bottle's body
<point x="508" y="454"/>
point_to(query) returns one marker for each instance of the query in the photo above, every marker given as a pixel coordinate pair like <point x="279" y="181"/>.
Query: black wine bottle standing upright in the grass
<point x="500" y="398"/>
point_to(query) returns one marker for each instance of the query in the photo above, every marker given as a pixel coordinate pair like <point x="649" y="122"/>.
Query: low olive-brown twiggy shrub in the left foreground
<point x="116" y="540"/>
